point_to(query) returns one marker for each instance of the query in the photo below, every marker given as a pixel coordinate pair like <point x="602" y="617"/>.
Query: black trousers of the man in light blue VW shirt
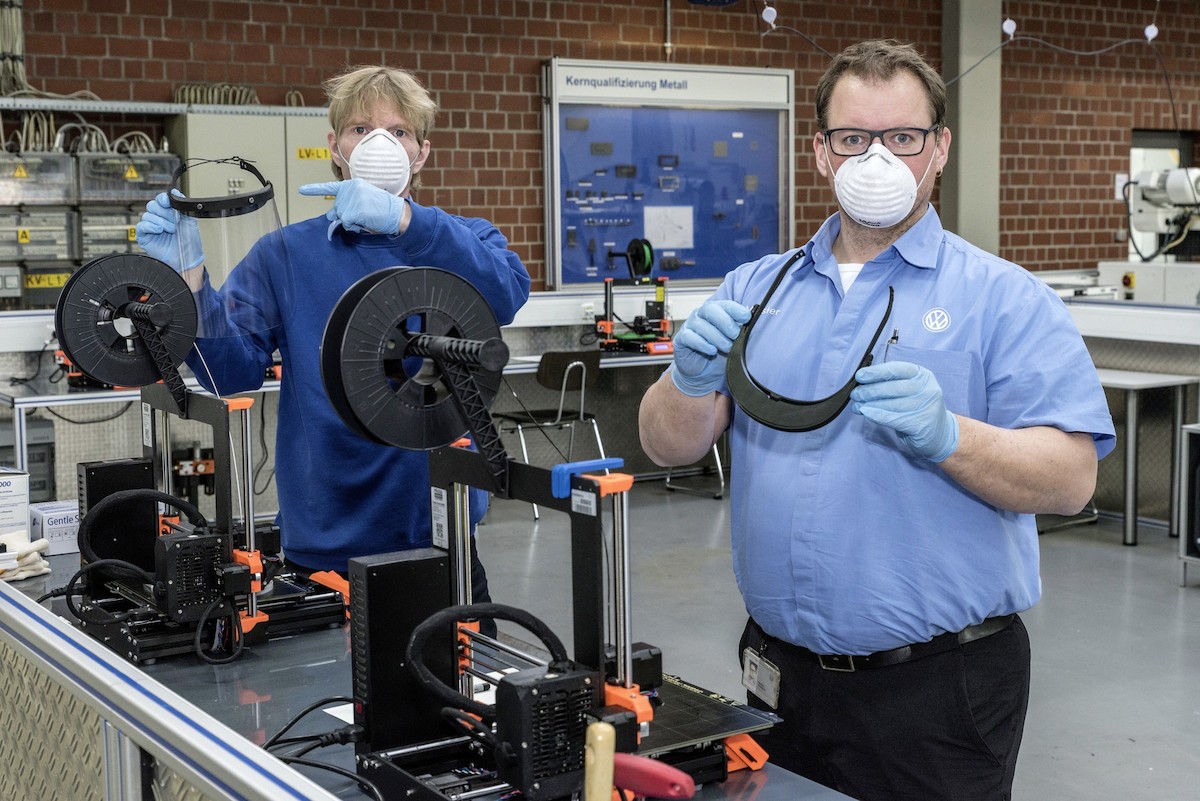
<point x="941" y="728"/>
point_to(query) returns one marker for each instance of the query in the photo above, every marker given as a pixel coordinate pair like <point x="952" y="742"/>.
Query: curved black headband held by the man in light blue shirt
<point x="777" y="411"/>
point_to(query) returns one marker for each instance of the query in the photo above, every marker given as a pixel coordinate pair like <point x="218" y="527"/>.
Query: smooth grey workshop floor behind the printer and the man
<point x="1115" y="709"/>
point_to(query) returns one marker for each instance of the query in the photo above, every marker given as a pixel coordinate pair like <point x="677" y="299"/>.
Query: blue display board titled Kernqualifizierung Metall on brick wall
<point x="697" y="161"/>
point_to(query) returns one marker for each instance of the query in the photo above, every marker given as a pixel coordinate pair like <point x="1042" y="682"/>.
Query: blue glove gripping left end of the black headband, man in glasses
<point x="703" y="345"/>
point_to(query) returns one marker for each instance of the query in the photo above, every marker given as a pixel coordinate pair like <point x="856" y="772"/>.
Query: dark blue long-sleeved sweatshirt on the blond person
<point x="340" y="496"/>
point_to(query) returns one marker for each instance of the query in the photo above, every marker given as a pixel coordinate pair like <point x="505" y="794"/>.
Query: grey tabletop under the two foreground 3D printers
<point x="260" y="692"/>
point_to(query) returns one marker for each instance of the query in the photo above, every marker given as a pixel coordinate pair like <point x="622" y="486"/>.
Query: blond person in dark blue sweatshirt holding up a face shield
<point x="340" y="496"/>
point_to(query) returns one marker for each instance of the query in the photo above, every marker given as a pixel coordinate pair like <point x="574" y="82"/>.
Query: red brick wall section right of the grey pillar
<point x="1069" y="121"/>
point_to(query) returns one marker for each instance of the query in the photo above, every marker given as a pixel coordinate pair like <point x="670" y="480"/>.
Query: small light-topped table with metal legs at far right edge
<point x="1133" y="383"/>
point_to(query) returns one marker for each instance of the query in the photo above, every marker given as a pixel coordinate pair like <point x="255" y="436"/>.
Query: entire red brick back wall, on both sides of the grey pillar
<point x="1067" y="119"/>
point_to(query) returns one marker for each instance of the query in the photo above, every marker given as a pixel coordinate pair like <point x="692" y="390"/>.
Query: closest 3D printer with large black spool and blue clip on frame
<point x="418" y="655"/>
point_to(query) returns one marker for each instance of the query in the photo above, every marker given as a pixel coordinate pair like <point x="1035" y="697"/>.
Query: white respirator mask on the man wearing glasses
<point x="877" y="189"/>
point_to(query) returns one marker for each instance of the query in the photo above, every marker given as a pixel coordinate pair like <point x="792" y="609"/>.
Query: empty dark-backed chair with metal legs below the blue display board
<point x="566" y="372"/>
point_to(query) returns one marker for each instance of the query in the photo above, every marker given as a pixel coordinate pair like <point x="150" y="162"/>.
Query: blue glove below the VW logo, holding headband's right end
<point x="908" y="399"/>
